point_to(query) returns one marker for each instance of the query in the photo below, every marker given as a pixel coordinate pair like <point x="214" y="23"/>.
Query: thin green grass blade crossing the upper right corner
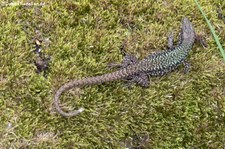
<point x="212" y="31"/>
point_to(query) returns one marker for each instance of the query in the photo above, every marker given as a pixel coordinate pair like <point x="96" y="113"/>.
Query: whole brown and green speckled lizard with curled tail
<point x="157" y="64"/>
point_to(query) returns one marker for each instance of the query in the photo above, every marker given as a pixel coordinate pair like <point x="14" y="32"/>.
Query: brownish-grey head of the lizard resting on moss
<point x="187" y="29"/>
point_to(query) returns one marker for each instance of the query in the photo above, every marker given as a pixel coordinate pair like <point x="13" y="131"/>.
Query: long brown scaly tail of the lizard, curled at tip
<point x="122" y="73"/>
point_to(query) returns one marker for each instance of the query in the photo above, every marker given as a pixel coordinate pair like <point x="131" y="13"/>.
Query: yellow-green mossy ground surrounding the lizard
<point x="177" y="111"/>
